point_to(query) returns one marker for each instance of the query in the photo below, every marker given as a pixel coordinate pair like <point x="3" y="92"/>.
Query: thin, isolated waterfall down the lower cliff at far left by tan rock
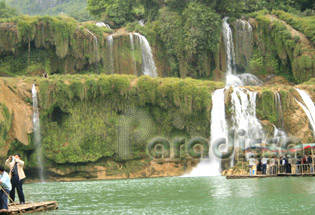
<point x="37" y="137"/>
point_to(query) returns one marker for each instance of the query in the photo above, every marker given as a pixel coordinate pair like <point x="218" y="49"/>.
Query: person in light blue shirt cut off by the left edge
<point x="5" y="190"/>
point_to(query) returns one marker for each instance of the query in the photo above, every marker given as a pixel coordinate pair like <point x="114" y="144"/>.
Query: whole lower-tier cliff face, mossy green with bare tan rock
<point x="82" y="118"/>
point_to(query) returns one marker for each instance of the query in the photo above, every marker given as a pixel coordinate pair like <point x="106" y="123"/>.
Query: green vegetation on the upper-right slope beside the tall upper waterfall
<point x="281" y="51"/>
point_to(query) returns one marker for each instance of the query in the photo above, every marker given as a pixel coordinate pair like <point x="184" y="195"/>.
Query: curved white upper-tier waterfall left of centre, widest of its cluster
<point x="148" y="65"/>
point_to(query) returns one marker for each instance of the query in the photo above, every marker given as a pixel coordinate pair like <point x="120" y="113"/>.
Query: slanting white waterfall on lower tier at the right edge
<point x="309" y="109"/>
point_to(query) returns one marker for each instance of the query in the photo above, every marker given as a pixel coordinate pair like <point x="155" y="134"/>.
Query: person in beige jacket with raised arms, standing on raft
<point x="17" y="175"/>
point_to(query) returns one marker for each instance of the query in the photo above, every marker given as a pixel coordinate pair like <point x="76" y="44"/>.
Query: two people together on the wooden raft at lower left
<point x="12" y="181"/>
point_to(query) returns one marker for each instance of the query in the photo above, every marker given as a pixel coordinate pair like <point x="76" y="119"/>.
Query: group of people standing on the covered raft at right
<point x="280" y="164"/>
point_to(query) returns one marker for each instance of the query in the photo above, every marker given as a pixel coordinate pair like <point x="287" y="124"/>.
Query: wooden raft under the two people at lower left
<point x="29" y="207"/>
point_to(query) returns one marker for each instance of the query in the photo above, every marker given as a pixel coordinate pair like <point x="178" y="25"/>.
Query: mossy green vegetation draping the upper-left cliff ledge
<point x="32" y="45"/>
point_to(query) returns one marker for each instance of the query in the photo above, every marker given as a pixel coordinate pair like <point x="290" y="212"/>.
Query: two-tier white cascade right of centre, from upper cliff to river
<point x="243" y="107"/>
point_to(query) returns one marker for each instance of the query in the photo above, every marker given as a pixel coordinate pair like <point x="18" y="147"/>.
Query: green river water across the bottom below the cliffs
<point x="179" y="195"/>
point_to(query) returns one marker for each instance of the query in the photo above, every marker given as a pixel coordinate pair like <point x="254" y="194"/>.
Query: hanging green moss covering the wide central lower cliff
<point x="81" y="114"/>
